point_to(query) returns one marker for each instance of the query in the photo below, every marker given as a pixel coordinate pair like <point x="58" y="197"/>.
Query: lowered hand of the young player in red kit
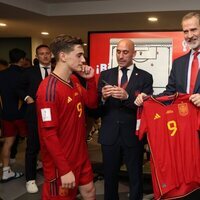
<point x="68" y="180"/>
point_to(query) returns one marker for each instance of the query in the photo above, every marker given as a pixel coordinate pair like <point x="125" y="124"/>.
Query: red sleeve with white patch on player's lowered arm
<point x="48" y="125"/>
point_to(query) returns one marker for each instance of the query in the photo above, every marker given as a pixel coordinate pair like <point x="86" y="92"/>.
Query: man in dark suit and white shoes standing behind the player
<point x="31" y="80"/>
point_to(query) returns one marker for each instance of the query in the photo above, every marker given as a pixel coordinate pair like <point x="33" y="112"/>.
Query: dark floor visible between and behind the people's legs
<point x="15" y="189"/>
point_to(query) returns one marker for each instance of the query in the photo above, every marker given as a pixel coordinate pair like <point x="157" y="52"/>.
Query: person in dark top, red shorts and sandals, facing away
<point x="13" y="109"/>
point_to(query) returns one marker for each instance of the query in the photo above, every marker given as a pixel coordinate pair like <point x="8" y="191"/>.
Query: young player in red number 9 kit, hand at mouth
<point x="60" y="107"/>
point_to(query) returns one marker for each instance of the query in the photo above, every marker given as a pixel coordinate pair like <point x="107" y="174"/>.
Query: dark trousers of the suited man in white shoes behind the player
<point x="33" y="145"/>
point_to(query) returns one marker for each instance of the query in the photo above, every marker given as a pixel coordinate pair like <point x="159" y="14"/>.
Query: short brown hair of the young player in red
<point x="64" y="43"/>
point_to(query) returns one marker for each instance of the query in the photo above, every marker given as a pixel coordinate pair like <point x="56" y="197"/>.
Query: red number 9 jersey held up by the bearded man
<point x="172" y="125"/>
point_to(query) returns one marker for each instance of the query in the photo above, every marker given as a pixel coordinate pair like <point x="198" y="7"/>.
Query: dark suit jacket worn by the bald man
<point x="119" y="117"/>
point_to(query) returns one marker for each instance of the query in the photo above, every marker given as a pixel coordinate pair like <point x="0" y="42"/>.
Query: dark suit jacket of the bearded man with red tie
<point x="178" y="76"/>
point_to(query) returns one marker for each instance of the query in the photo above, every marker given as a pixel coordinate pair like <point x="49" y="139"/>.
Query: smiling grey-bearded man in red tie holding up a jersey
<point x="180" y="78"/>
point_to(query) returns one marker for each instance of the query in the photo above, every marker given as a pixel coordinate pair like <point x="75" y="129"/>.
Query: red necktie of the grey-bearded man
<point x="194" y="71"/>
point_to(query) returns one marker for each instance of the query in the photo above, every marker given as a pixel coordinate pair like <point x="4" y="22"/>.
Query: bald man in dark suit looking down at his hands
<point x="117" y="92"/>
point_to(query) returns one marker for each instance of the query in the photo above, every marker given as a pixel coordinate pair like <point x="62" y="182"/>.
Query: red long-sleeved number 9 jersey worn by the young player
<point x="61" y="122"/>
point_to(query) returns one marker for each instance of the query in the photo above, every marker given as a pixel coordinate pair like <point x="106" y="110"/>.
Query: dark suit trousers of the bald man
<point x="132" y="157"/>
